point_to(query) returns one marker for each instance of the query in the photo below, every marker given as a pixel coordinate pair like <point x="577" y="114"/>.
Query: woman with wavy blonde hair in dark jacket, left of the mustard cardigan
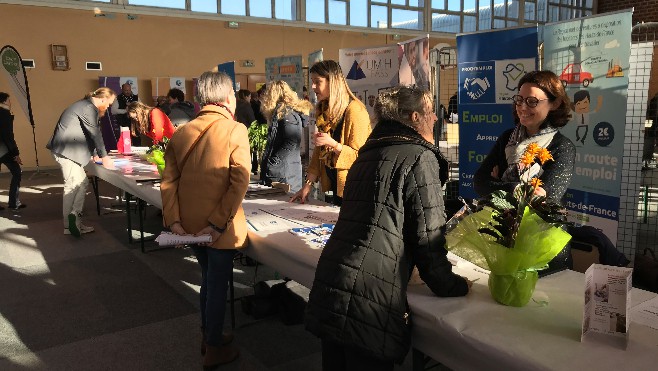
<point x="286" y="115"/>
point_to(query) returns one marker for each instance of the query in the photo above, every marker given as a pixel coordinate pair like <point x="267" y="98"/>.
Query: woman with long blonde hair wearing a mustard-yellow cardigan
<point x="343" y="126"/>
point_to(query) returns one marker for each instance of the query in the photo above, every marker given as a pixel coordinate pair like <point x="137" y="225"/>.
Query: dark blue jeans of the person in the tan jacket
<point x="216" y="269"/>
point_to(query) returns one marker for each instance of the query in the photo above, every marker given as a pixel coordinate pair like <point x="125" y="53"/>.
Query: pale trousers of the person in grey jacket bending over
<point x="75" y="187"/>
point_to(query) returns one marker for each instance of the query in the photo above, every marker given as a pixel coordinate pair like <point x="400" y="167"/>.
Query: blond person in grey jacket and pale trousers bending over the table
<point x="78" y="137"/>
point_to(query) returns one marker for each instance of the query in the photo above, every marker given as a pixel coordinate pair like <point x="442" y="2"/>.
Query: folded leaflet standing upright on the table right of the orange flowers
<point x="607" y="301"/>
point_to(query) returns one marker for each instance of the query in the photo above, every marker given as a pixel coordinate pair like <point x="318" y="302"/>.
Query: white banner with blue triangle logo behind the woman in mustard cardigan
<point x="369" y="71"/>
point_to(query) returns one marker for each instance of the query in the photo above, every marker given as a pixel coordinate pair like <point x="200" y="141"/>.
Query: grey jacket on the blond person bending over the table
<point x="78" y="133"/>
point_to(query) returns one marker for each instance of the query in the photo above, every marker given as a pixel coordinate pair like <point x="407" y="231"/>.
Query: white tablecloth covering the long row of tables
<point x="468" y="333"/>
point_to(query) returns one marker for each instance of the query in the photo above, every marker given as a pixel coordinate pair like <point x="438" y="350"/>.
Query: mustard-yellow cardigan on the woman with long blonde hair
<point x="356" y="129"/>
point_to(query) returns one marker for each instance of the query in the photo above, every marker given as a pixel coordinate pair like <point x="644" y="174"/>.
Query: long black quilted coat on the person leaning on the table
<point x="391" y="220"/>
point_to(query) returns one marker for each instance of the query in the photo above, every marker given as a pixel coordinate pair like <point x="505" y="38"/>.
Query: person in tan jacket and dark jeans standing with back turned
<point x="203" y="185"/>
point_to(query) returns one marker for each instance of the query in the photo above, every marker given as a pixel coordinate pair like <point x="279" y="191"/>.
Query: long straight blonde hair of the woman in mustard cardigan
<point x="339" y="92"/>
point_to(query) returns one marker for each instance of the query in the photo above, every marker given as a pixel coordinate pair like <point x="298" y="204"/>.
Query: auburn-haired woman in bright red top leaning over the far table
<point x="149" y="121"/>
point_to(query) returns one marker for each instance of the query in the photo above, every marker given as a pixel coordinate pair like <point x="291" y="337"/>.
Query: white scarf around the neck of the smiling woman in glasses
<point x="517" y="144"/>
